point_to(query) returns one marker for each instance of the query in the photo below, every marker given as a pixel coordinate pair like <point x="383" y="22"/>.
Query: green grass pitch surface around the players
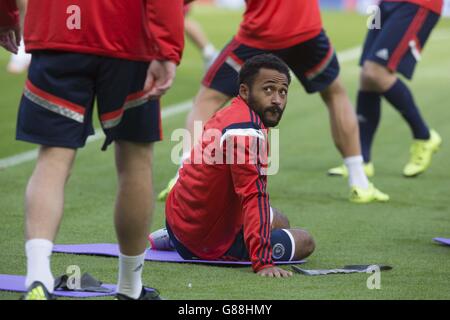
<point x="398" y="233"/>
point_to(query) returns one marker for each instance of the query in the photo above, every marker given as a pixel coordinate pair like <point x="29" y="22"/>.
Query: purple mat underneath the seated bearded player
<point x="112" y="250"/>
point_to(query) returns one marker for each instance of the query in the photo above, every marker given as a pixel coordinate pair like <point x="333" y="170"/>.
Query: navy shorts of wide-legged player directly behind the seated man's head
<point x="313" y="62"/>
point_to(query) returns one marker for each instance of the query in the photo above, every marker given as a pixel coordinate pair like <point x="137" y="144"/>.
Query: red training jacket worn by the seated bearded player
<point x="212" y="202"/>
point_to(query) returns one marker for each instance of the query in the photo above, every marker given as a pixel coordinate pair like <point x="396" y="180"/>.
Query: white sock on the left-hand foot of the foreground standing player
<point x="38" y="253"/>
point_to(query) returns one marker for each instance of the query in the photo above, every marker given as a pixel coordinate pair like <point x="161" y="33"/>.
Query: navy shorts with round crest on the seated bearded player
<point x="283" y="247"/>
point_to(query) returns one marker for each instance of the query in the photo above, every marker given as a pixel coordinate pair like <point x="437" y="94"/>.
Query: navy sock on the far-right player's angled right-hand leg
<point x="401" y="99"/>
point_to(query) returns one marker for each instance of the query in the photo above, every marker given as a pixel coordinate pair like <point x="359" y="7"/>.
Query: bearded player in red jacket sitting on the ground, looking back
<point x="221" y="210"/>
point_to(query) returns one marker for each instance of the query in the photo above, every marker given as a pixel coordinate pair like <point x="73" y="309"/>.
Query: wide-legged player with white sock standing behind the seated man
<point x="269" y="26"/>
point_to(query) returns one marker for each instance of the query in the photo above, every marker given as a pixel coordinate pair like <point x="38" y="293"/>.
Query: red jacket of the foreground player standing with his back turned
<point x="141" y="30"/>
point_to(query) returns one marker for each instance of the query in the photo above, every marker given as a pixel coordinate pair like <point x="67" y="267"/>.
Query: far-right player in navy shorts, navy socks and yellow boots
<point x="396" y="47"/>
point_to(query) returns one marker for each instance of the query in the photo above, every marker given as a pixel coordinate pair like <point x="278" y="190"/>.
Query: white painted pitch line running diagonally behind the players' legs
<point x="173" y="110"/>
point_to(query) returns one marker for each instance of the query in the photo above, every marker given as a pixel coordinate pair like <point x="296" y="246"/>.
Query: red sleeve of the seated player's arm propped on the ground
<point x="250" y="185"/>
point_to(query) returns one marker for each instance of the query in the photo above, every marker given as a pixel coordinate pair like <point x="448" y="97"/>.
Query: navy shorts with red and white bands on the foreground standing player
<point x="58" y="101"/>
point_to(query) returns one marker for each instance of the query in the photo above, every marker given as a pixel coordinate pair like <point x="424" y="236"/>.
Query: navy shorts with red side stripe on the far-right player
<point x="405" y="28"/>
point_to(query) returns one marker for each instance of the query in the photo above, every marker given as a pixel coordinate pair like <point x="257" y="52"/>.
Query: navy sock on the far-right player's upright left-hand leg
<point x="369" y="113"/>
